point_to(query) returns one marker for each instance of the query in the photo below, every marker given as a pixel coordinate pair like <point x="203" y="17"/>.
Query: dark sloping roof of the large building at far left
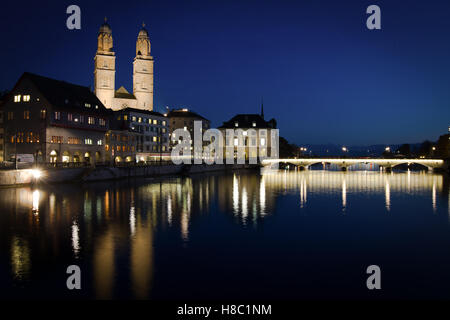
<point x="66" y="95"/>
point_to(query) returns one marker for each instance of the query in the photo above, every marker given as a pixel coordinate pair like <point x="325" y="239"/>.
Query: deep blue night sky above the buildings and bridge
<point x="323" y="75"/>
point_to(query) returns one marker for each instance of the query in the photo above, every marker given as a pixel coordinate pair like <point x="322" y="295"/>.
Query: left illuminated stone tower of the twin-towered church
<point x="105" y="66"/>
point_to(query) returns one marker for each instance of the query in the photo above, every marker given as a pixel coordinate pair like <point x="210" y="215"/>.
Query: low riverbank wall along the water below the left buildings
<point x="88" y="174"/>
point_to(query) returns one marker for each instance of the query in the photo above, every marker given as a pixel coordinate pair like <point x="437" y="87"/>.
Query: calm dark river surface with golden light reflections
<point x="284" y="235"/>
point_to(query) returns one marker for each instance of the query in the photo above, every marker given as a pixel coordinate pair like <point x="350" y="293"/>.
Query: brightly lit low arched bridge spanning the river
<point x="344" y="163"/>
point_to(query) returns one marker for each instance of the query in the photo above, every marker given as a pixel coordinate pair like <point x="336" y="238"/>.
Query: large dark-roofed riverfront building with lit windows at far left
<point x="48" y="120"/>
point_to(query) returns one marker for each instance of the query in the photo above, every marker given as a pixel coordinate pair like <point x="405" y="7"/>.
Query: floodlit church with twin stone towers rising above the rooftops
<point x="105" y="72"/>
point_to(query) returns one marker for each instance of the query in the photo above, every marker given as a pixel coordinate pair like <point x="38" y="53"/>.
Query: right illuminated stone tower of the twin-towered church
<point x="143" y="72"/>
